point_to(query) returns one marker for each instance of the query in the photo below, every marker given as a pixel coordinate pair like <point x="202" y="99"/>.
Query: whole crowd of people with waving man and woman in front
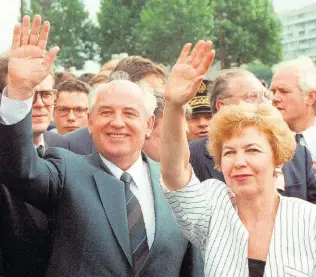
<point x="138" y="172"/>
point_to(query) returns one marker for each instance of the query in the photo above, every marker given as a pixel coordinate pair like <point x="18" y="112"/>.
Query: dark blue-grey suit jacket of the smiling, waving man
<point x="90" y="225"/>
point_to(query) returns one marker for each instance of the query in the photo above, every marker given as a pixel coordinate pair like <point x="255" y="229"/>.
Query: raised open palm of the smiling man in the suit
<point x="29" y="64"/>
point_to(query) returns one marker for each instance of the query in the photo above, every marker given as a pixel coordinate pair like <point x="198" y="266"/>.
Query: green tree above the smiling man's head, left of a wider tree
<point x="117" y="19"/>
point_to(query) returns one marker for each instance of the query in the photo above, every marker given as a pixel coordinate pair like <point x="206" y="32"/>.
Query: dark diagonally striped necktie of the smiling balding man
<point x="136" y="225"/>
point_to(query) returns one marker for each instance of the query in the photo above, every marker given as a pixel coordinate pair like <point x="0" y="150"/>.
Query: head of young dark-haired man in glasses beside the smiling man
<point x="71" y="106"/>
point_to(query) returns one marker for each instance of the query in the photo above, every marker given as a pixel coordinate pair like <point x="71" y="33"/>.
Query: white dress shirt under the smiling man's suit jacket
<point x="142" y="189"/>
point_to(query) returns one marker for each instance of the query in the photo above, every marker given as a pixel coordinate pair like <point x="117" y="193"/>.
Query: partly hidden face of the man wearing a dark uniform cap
<point x="198" y="126"/>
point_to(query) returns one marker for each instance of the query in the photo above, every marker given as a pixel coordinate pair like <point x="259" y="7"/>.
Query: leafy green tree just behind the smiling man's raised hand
<point x="71" y="30"/>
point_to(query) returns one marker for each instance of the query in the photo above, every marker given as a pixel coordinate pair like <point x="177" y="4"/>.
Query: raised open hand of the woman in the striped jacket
<point x="188" y="72"/>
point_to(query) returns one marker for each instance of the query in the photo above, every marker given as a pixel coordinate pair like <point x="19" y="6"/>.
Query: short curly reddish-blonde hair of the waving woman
<point x="232" y="120"/>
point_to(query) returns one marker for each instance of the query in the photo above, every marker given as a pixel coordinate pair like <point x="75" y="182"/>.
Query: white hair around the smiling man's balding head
<point x="150" y="101"/>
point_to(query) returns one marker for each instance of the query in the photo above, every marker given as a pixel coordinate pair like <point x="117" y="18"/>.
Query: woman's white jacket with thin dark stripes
<point x="208" y="215"/>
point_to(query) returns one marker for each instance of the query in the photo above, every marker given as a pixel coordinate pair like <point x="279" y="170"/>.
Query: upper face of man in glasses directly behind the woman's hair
<point x="243" y="88"/>
